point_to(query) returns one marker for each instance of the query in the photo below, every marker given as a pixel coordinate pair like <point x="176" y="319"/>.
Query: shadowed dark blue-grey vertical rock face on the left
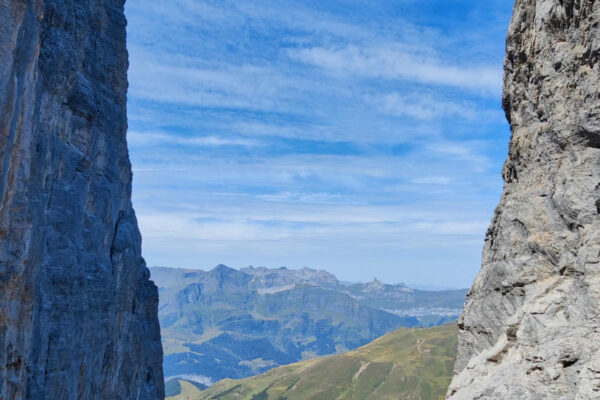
<point x="78" y="315"/>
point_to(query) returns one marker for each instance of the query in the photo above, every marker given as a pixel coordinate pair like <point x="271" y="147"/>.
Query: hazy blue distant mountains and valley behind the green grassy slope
<point x="228" y="323"/>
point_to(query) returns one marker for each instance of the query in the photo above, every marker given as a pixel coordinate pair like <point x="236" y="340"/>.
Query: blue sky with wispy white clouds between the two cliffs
<point x="362" y="137"/>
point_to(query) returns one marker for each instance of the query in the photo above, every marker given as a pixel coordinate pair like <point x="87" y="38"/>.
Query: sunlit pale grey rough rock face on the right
<point x="531" y="325"/>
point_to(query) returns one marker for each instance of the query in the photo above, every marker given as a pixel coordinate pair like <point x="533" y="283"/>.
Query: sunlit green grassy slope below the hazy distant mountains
<point x="406" y="364"/>
